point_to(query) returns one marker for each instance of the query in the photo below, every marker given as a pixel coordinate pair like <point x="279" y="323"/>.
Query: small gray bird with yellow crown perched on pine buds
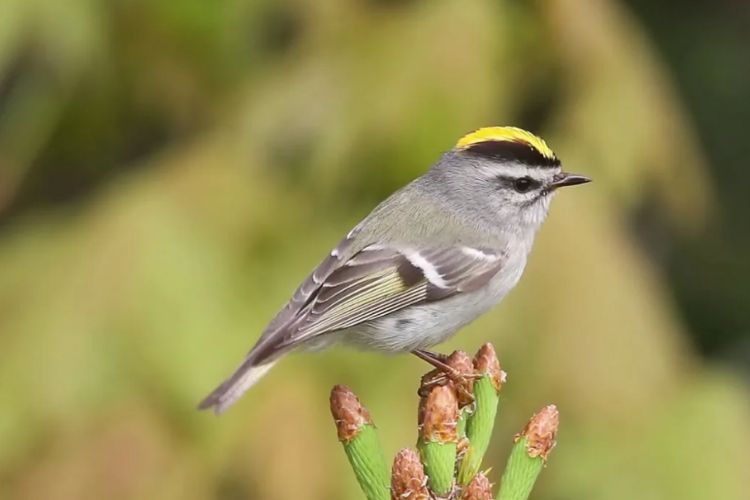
<point x="428" y="260"/>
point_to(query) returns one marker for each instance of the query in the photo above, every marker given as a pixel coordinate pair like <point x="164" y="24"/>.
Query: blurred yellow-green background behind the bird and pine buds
<point x="169" y="171"/>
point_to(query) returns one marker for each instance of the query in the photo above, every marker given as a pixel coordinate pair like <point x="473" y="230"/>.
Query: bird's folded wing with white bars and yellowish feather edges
<point x="380" y="280"/>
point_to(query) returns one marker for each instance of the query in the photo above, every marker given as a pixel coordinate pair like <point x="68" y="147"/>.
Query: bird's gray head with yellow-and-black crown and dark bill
<point x="503" y="176"/>
